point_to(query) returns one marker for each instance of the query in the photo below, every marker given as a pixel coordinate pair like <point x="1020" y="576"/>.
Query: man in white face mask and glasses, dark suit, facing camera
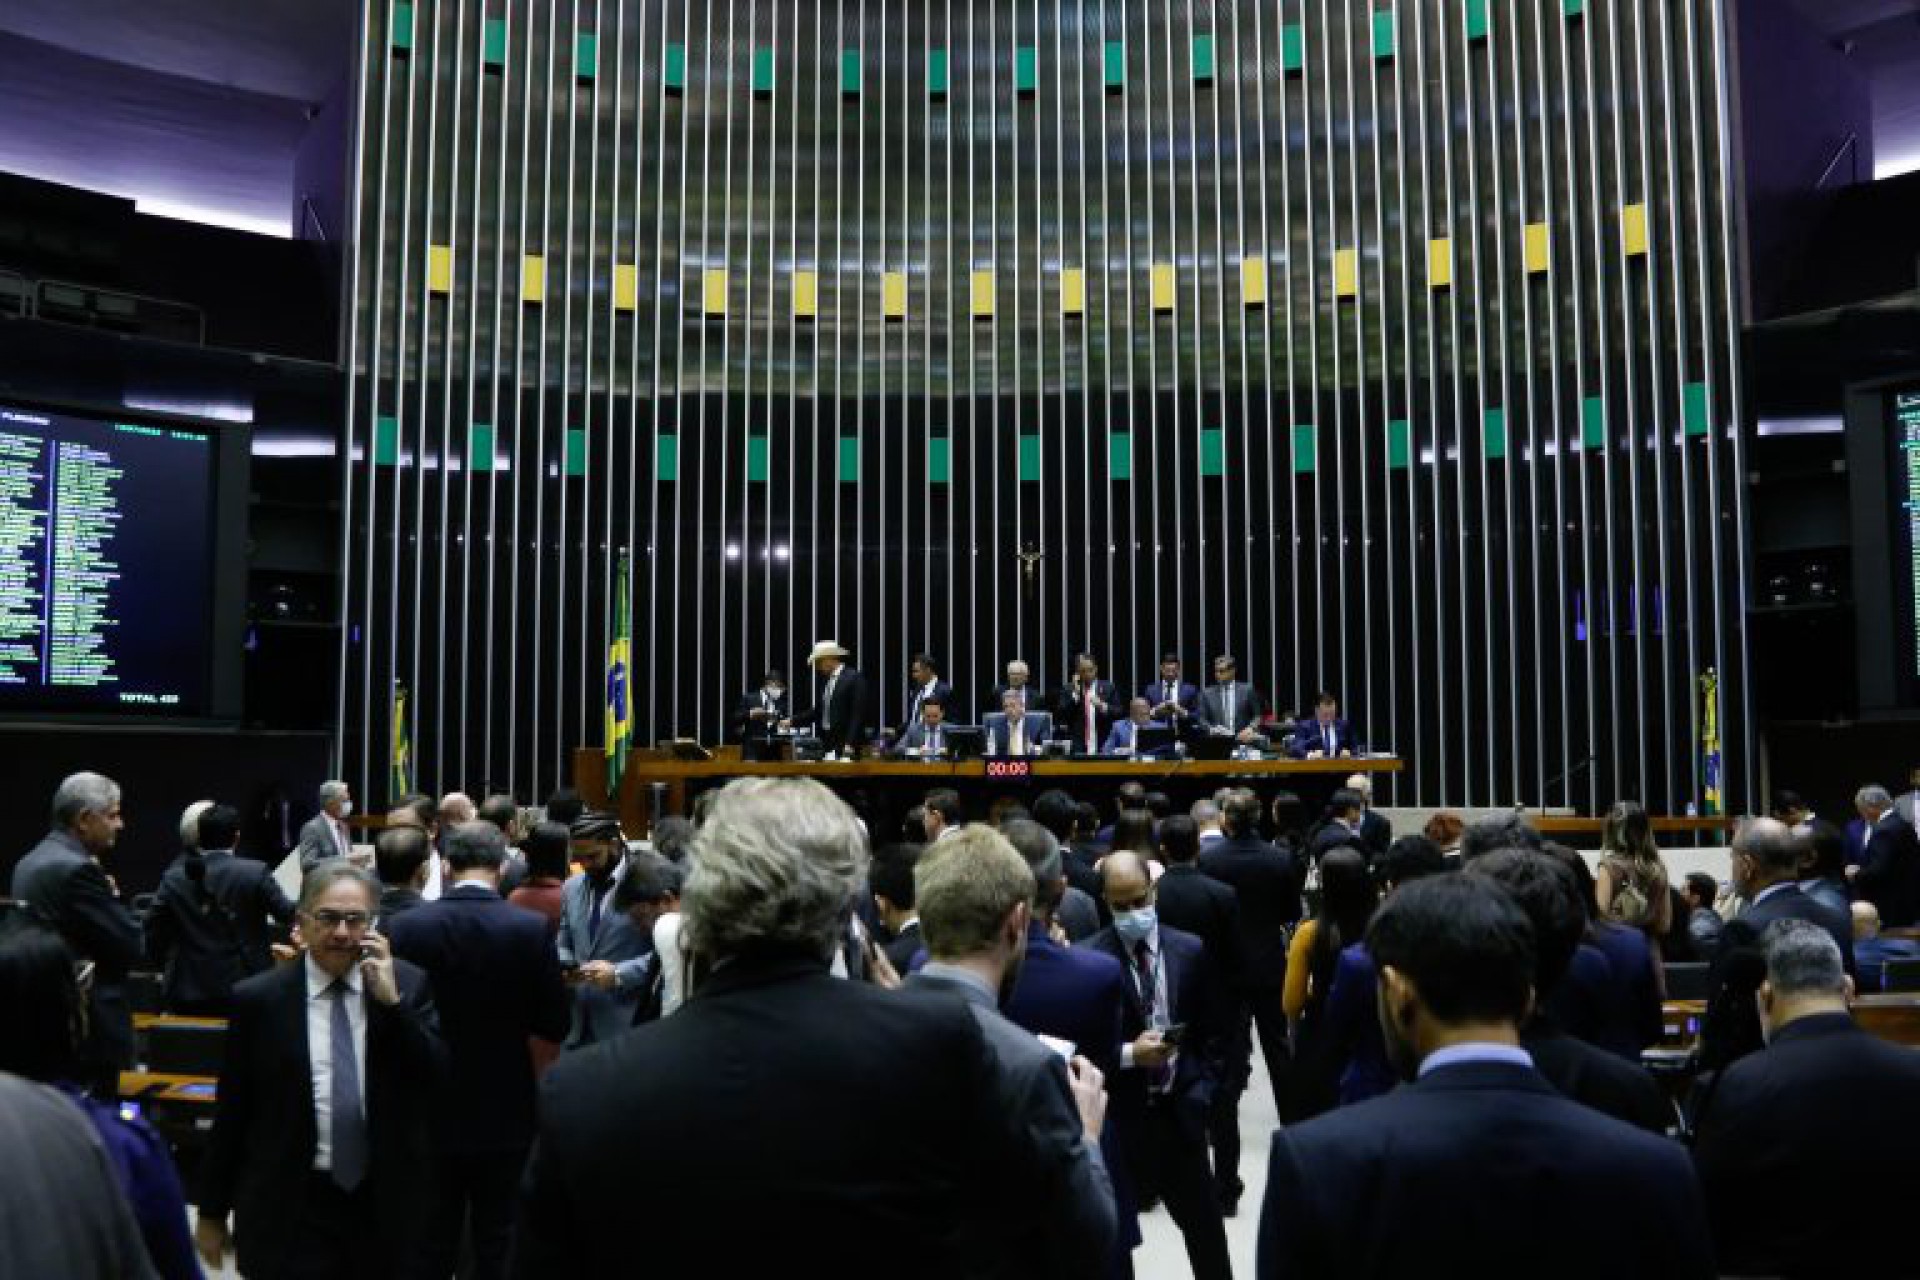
<point x="1168" y="1060"/>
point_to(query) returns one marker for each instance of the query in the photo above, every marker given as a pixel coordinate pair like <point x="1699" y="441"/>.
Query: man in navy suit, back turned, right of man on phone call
<point x="498" y="984"/>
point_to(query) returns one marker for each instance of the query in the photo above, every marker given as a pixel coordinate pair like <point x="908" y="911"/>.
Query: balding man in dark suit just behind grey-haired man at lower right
<point x="1765" y="874"/>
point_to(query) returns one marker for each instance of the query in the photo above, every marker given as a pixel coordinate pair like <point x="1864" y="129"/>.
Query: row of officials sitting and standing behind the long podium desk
<point x="1086" y="717"/>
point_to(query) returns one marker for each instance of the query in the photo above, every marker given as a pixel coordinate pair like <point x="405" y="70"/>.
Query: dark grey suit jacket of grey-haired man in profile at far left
<point x="62" y="884"/>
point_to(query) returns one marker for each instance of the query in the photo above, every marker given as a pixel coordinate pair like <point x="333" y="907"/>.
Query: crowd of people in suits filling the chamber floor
<point x="771" y="1039"/>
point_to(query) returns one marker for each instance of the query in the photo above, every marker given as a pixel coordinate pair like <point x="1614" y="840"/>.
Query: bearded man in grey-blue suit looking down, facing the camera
<point x="604" y="955"/>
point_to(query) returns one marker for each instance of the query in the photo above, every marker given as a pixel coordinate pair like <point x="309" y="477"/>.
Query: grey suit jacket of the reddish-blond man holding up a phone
<point x="1070" y="1221"/>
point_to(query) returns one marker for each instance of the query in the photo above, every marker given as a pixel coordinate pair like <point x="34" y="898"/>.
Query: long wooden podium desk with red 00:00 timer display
<point x="656" y="767"/>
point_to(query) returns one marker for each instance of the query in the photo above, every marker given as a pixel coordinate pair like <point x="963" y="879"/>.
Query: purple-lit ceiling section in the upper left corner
<point x="187" y="107"/>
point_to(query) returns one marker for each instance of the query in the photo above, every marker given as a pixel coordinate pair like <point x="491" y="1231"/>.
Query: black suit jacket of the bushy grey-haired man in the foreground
<point x="853" y="1122"/>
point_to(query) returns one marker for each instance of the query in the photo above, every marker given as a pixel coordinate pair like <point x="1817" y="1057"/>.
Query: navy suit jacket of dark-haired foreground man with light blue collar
<point x="1479" y="1170"/>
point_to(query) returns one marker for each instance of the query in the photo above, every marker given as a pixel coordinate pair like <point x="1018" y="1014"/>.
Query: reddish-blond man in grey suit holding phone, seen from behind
<point x="976" y="897"/>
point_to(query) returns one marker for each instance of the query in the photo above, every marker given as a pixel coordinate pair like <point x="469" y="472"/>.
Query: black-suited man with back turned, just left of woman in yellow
<point x="1266" y="882"/>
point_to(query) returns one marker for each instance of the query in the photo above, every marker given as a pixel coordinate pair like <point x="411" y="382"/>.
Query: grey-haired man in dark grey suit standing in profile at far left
<point x="60" y="880"/>
